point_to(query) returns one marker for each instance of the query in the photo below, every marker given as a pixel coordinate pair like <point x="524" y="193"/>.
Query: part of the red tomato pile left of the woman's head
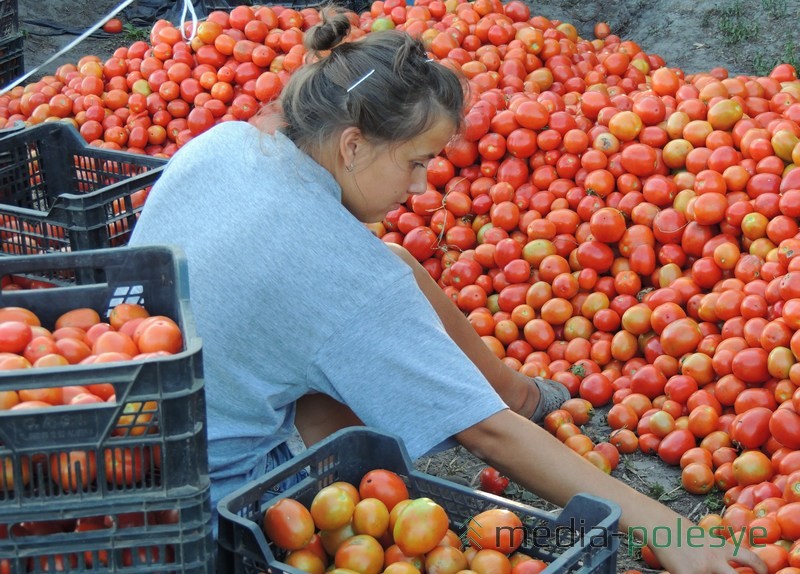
<point x="154" y="97"/>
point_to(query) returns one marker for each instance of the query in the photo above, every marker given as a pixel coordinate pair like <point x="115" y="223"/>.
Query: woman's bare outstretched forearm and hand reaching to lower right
<point x="539" y="462"/>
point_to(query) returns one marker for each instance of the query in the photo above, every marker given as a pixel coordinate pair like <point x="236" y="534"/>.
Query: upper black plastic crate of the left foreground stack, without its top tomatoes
<point x="148" y="446"/>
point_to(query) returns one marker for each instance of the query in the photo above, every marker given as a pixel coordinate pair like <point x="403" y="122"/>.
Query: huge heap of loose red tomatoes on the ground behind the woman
<point x="620" y="226"/>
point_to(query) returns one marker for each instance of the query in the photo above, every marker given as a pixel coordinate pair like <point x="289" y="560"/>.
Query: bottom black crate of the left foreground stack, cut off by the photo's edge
<point x="170" y="535"/>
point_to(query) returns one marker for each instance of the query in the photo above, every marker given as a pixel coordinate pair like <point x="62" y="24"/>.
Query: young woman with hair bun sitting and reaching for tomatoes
<point x="310" y="322"/>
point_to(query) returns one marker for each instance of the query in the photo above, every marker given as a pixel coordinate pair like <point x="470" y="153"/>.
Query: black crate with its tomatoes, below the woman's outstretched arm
<point x="362" y="507"/>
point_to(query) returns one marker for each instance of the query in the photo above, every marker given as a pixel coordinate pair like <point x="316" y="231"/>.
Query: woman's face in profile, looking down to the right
<point x="384" y="176"/>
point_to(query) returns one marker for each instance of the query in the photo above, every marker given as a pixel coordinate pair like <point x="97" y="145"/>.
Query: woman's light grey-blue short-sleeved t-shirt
<point x="292" y="294"/>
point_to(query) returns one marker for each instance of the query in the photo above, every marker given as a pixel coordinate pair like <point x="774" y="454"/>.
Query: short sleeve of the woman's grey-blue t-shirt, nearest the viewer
<point x="394" y="365"/>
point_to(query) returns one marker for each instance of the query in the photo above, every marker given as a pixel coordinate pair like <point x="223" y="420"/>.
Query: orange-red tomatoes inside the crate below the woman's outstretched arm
<point x="376" y="527"/>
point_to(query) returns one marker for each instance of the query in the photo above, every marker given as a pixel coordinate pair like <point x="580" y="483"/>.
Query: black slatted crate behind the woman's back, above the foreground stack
<point x="57" y="193"/>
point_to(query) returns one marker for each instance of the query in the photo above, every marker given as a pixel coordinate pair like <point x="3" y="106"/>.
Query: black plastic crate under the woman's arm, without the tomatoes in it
<point x="349" y="454"/>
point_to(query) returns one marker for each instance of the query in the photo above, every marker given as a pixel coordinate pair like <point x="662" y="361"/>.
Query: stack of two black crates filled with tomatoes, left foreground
<point x="103" y="445"/>
